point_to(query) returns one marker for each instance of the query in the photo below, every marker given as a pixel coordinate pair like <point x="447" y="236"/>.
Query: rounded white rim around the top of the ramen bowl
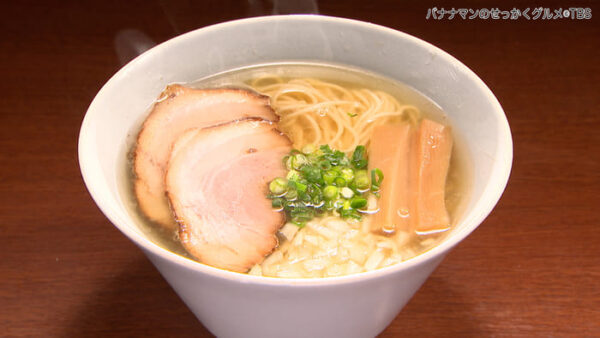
<point x="490" y="196"/>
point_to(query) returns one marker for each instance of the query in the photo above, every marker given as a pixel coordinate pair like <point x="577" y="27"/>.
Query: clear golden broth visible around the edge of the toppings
<point x="459" y="175"/>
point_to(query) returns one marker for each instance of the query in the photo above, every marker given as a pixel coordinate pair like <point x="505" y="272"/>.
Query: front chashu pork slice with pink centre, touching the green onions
<point x="217" y="181"/>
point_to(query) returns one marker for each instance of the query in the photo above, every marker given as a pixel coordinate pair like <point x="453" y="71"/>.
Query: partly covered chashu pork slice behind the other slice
<point x="177" y="110"/>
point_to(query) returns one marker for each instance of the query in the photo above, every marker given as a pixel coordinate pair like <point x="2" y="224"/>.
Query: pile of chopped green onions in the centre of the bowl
<point x="323" y="180"/>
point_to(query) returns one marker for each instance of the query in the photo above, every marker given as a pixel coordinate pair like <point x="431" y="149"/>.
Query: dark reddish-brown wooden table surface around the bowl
<point x="531" y="269"/>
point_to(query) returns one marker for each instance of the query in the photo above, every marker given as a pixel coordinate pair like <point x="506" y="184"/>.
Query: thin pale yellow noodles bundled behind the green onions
<point x="316" y="111"/>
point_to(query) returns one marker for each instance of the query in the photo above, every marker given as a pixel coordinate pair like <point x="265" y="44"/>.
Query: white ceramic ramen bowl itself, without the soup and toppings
<point x="237" y="305"/>
